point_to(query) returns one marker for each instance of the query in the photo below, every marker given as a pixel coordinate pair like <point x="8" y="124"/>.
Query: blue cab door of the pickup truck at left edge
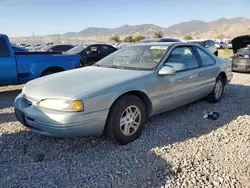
<point x="8" y="69"/>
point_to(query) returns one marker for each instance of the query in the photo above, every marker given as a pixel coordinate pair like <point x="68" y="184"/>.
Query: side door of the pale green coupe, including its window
<point x="185" y="86"/>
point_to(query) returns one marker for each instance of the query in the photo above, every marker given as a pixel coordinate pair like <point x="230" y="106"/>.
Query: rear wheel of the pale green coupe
<point x="217" y="93"/>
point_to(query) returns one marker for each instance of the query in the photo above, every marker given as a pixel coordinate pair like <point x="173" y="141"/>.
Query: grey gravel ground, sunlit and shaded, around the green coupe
<point x="177" y="149"/>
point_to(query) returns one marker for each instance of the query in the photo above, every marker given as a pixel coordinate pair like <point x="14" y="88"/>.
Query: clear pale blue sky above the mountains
<point x="22" y="17"/>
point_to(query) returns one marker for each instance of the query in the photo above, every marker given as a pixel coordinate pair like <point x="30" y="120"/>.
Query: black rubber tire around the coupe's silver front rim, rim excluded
<point x="113" y="128"/>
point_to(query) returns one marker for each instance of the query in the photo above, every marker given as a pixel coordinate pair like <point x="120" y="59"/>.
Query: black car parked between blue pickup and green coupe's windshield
<point x="90" y="54"/>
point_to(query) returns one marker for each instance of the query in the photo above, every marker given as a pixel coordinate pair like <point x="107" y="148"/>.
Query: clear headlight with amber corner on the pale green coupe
<point x="62" y="105"/>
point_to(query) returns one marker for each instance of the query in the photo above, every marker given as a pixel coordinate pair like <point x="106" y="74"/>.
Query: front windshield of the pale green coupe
<point x="135" y="57"/>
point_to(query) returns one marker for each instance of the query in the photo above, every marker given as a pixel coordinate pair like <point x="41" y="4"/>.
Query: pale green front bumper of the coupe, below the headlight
<point x="56" y="123"/>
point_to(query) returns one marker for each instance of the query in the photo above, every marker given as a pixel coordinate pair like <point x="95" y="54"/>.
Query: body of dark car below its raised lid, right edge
<point x="241" y="60"/>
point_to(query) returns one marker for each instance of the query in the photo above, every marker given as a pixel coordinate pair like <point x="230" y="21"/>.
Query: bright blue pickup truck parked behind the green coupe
<point x="20" y="67"/>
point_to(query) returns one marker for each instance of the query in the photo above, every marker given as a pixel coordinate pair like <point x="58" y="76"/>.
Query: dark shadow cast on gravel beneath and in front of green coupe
<point x="74" y="162"/>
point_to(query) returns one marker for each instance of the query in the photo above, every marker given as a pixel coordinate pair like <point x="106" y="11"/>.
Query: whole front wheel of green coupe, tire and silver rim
<point x="126" y="119"/>
